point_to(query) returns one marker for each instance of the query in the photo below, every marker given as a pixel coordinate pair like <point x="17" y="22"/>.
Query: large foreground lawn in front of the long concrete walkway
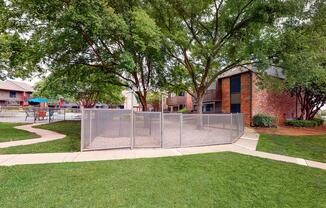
<point x="207" y="180"/>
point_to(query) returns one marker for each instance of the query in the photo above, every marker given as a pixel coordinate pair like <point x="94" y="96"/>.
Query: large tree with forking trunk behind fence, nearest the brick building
<point x="207" y="38"/>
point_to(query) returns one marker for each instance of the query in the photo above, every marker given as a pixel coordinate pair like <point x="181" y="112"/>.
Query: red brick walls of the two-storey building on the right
<point x="282" y="105"/>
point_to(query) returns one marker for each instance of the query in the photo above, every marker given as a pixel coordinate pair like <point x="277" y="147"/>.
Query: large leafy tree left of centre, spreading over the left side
<point x="116" y="37"/>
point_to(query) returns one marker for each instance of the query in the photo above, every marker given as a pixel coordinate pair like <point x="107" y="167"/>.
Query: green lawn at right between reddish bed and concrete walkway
<point x="307" y="147"/>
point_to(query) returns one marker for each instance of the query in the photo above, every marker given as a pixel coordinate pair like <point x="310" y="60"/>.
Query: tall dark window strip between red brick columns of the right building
<point x="235" y="90"/>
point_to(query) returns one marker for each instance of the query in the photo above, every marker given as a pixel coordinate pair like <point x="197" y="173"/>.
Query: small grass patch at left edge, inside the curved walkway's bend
<point x="9" y="133"/>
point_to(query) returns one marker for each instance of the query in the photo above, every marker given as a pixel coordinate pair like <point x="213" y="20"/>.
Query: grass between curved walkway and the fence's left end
<point x="71" y="143"/>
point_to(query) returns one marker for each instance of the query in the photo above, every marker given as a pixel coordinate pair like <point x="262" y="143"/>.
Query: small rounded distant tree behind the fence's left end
<point x="87" y="86"/>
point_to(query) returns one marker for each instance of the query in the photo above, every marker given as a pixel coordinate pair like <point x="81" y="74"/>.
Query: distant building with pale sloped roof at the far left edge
<point x="14" y="93"/>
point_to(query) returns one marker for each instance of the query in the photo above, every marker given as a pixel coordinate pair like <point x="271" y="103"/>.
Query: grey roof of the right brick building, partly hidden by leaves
<point x="271" y="71"/>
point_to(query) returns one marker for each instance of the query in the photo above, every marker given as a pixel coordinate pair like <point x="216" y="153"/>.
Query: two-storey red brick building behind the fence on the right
<point x="237" y="91"/>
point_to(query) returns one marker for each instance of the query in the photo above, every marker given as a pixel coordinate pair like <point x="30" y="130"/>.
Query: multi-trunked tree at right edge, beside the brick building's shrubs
<point x="302" y="55"/>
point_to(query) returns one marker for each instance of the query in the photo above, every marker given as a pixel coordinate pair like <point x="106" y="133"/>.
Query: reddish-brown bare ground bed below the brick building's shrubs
<point x="292" y="131"/>
